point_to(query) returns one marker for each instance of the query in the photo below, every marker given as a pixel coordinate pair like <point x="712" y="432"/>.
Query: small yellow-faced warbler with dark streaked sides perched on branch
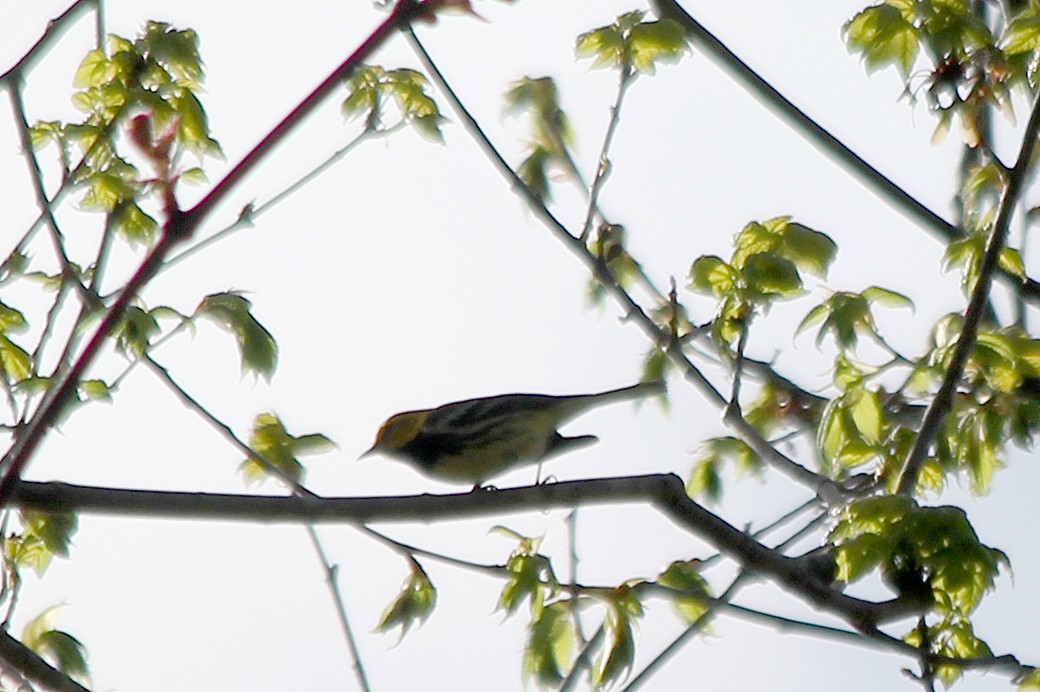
<point x="478" y="440"/>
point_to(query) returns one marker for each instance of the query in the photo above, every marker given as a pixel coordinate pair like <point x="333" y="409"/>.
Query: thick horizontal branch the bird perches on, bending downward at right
<point x="666" y="493"/>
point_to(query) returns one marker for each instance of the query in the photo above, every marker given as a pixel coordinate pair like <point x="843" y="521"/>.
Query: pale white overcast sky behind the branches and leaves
<point x="409" y="276"/>
